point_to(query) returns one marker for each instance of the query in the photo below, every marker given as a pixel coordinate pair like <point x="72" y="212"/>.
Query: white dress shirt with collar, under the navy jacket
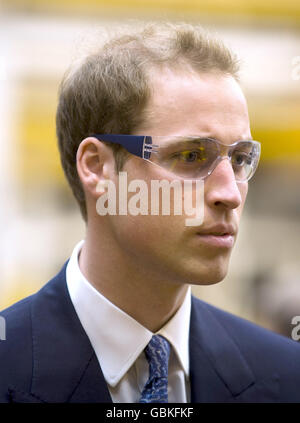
<point x="118" y="340"/>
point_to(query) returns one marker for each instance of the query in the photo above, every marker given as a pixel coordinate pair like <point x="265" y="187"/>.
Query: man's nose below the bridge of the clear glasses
<point x="221" y="188"/>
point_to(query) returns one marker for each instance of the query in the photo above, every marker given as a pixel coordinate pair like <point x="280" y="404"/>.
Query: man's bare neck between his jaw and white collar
<point x="145" y="296"/>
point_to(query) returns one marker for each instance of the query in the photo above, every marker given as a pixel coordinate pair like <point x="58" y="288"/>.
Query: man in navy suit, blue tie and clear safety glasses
<point x="118" y="322"/>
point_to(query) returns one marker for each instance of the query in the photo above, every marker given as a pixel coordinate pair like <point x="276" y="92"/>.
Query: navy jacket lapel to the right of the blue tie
<point x="219" y="372"/>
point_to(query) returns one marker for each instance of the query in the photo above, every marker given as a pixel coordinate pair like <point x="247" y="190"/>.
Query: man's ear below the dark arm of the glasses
<point x="95" y="164"/>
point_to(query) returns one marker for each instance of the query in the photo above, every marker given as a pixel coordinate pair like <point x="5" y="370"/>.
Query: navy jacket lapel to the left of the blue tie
<point x="65" y="367"/>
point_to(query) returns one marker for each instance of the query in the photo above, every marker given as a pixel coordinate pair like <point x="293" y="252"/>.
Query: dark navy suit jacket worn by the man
<point x="47" y="356"/>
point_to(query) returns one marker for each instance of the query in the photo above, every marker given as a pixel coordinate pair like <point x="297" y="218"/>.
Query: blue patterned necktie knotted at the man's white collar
<point x="157" y="353"/>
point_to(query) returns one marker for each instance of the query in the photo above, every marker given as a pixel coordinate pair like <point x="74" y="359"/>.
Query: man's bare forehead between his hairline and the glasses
<point x="196" y="104"/>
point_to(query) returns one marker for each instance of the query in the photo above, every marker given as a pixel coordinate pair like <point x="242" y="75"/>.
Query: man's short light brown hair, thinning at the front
<point x="109" y="91"/>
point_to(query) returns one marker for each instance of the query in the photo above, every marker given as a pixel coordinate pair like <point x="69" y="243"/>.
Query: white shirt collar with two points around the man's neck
<point x="116" y="337"/>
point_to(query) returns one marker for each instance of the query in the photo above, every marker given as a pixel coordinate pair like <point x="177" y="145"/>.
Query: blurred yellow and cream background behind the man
<point x="39" y="219"/>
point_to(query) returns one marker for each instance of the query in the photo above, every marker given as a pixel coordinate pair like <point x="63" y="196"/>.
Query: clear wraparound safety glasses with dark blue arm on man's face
<point x="190" y="157"/>
